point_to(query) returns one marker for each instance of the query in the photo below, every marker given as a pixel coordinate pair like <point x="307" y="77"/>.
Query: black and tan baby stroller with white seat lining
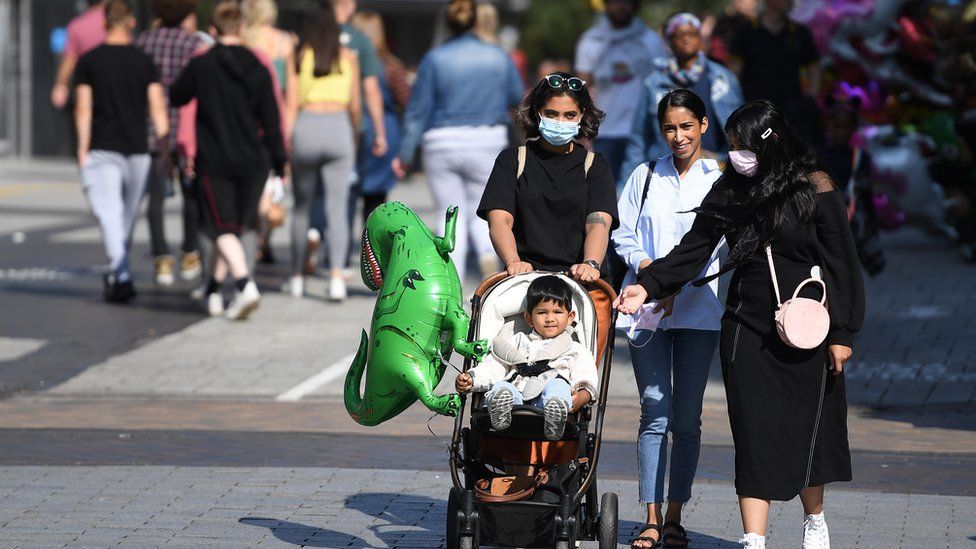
<point x="514" y="488"/>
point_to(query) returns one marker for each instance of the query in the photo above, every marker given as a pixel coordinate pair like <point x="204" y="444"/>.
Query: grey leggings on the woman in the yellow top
<point x="323" y="154"/>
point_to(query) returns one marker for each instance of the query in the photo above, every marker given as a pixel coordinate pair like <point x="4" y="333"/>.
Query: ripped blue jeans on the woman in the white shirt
<point x="671" y="367"/>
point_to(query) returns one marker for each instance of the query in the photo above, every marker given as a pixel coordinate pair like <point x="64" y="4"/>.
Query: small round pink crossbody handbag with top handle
<point x="801" y="322"/>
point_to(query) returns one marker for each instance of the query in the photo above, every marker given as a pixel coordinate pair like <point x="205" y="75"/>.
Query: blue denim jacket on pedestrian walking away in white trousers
<point x="463" y="82"/>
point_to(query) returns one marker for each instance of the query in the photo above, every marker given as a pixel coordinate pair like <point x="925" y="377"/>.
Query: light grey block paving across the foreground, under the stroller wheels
<point x="328" y="507"/>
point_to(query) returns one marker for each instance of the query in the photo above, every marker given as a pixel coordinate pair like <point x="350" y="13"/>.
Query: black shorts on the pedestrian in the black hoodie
<point x="229" y="203"/>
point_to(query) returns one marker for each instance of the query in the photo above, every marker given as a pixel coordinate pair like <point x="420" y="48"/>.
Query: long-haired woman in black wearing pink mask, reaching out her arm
<point x="787" y="406"/>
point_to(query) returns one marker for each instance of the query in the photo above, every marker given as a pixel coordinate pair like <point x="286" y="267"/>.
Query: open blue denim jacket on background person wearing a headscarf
<point x="646" y="141"/>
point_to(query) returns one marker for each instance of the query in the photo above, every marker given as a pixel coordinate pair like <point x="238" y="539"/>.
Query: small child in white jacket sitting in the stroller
<point x="544" y="368"/>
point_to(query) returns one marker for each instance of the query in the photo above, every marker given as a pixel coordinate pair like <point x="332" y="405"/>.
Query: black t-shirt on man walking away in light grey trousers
<point x="119" y="77"/>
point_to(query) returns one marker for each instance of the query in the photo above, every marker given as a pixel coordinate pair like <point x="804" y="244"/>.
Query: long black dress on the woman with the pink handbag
<point x="787" y="411"/>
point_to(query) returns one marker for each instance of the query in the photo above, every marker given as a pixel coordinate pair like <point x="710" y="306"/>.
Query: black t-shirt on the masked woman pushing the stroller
<point x="550" y="202"/>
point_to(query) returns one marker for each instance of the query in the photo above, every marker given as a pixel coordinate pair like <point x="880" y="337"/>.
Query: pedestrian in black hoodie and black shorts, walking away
<point x="238" y="127"/>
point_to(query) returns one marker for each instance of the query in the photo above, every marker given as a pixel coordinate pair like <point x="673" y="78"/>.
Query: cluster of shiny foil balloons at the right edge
<point x="911" y="67"/>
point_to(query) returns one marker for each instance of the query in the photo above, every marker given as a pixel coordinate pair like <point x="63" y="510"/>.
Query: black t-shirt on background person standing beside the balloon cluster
<point x="771" y="63"/>
